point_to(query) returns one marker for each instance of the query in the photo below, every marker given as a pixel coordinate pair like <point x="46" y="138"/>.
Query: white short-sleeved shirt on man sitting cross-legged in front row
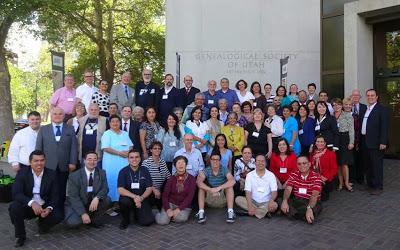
<point x="261" y="188"/>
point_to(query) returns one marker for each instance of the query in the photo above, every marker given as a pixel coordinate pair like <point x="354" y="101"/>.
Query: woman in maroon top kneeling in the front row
<point x="177" y="195"/>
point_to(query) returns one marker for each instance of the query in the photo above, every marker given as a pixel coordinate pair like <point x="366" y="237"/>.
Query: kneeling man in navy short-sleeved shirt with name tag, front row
<point x="135" y="187"/>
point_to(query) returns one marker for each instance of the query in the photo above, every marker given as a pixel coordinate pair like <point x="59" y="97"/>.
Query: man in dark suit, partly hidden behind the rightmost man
<point x="357" y="172"/>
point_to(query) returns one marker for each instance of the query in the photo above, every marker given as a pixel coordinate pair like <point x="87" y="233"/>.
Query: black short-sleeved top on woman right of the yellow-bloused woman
<point x="257" y="139"/>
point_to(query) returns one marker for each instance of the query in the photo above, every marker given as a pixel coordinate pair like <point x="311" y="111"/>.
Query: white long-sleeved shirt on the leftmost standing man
<point x="22" y="145"/>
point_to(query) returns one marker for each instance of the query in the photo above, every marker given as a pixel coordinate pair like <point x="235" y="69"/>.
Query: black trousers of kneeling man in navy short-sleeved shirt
<point x="143" y="215"/>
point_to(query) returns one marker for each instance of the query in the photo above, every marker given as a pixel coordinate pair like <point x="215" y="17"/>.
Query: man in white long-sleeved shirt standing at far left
<point x="24" y="142"/>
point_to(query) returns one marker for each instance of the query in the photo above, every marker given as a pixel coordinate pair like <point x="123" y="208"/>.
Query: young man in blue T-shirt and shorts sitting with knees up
<point x="215" y="188"/>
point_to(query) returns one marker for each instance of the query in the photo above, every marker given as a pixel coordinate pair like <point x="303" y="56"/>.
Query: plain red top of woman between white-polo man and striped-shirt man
<point x="282" y="169"/>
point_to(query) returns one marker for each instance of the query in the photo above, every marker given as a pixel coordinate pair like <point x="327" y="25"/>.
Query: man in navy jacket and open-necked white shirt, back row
<point x="168" y="100"/>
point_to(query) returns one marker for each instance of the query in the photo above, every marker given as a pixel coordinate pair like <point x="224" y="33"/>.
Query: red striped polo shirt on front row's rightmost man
<point x="303" y="187"/>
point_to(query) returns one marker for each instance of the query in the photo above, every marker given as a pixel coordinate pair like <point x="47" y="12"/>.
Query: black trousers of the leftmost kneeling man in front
<point x="19" y="212"/>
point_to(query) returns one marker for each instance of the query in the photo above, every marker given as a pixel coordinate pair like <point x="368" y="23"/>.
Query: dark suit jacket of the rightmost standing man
<point x="377" y="127"/>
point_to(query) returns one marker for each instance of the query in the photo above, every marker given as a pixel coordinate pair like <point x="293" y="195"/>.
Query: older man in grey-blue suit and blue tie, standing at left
<point x="58" y="141"/>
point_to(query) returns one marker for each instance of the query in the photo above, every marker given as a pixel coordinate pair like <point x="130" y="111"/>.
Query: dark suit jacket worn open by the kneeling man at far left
<point x="23" y="185"/>
